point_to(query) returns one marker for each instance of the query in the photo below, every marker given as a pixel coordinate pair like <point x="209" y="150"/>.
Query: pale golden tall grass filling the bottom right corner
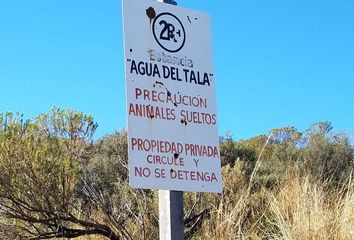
<point x="307" y="210"/>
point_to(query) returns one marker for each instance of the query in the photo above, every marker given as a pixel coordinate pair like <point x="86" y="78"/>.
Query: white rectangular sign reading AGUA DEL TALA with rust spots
<point x="170" y="87"/>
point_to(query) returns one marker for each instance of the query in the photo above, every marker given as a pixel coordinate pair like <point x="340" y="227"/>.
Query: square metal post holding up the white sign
<point x="171" y="215"/>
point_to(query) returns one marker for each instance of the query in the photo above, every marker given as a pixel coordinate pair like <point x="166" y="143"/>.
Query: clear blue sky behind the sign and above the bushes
<point x="277" y="63"/>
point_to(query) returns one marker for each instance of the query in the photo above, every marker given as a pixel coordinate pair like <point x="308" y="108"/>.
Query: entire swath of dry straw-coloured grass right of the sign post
<point x="299" y="209"/>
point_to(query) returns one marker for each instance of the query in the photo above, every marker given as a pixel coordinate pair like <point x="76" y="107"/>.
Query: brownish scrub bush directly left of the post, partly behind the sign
<point x="105" y="190"/>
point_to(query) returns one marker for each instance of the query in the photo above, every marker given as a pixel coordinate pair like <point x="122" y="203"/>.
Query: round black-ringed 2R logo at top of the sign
<point x="169" y="32"/>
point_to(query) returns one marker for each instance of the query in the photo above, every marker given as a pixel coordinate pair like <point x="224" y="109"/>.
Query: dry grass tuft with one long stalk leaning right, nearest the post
<point x="239" y="212"/>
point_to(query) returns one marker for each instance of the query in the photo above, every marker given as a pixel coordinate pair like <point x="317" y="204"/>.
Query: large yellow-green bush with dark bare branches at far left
<point x="41" y="164"/>
